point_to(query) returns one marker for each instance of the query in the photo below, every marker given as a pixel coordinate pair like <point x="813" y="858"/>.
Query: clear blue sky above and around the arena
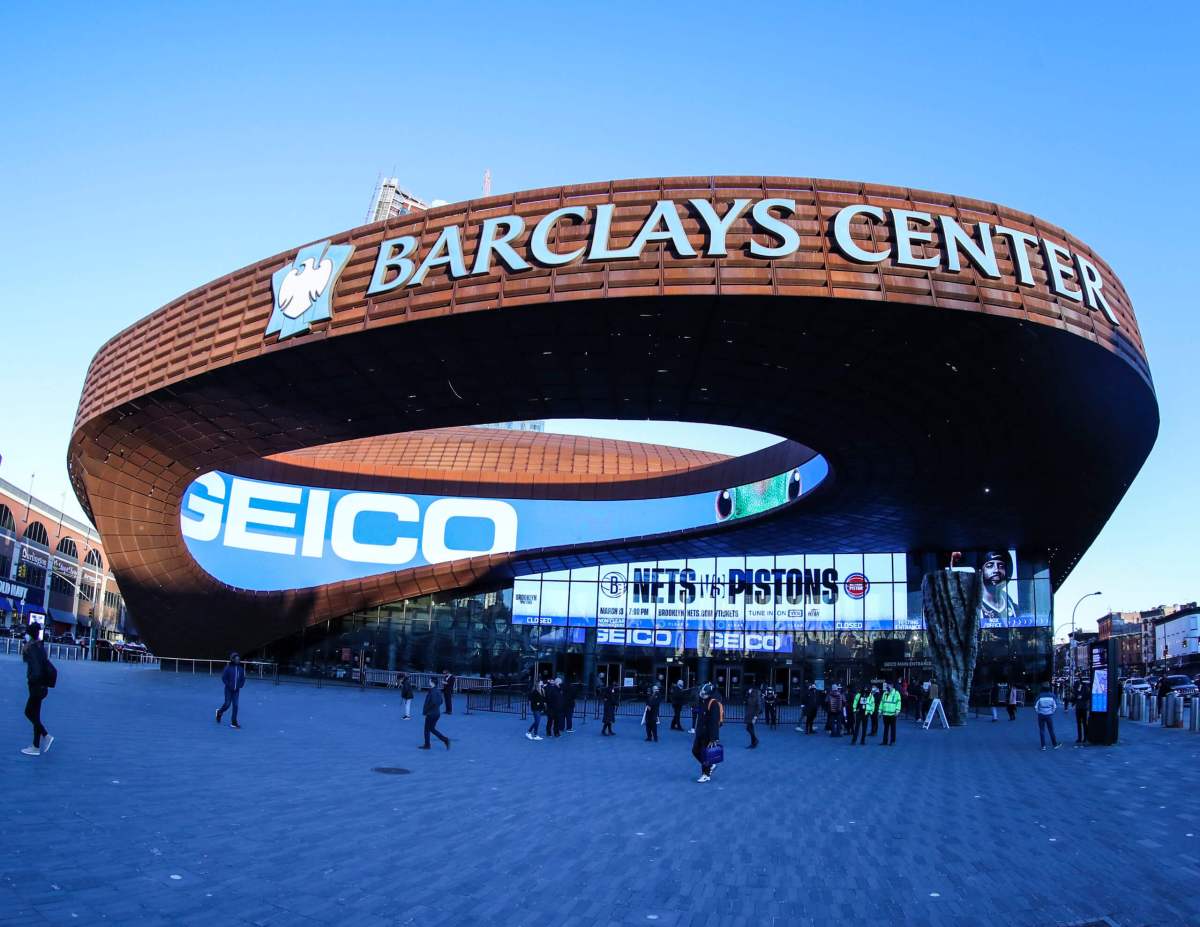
<point x="148" y="149"/>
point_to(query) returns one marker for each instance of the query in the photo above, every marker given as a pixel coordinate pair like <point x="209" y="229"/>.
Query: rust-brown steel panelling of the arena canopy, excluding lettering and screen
<point x="955" y="409"/>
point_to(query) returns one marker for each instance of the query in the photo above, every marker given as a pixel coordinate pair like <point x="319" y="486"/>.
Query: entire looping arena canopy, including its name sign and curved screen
<point x="286" y="445"/>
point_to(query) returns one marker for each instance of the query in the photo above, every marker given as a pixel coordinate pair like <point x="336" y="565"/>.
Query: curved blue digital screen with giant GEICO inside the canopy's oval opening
<point x="263" y="536"/>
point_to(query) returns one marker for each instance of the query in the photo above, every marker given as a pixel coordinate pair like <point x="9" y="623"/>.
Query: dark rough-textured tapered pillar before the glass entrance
<point x="952" y="623"/>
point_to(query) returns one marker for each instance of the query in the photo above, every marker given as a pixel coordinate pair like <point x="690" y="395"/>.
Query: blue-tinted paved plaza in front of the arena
<point x="146" y="812"/>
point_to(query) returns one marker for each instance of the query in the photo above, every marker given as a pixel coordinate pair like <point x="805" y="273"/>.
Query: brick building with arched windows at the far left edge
<point x="55" y="566"/>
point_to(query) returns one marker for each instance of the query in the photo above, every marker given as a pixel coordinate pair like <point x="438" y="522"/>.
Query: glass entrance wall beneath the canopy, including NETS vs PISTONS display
<point x="488" y="635"/>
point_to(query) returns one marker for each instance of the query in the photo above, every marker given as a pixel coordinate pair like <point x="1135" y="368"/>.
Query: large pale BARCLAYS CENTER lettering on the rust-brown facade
<point x="1069" y="274"/>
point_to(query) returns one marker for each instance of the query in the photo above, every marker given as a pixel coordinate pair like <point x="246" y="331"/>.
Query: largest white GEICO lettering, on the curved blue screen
<point x="292" y="522"/>
